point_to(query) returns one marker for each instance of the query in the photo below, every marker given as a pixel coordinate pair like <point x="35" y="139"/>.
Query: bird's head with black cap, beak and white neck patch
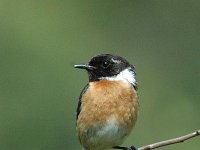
<point x="108" y="66"/>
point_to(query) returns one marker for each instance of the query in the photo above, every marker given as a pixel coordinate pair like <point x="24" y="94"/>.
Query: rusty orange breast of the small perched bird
<point x="104" y="99"/>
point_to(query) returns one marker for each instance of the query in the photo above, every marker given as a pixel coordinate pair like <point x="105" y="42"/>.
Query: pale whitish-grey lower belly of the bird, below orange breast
<point x="106" y="136"/>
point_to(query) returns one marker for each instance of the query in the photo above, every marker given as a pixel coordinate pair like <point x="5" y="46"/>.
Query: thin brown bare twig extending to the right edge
<point x="170" y="141"/>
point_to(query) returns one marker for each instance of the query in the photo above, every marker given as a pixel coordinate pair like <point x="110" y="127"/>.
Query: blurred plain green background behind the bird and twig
<point x="41" y="40"/>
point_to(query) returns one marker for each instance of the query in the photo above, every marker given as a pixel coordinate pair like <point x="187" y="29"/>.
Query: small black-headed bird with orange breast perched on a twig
<point x="108" y="105"/>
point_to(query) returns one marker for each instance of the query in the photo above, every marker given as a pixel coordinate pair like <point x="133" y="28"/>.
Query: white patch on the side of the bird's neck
<point x="125" y="75"/>
